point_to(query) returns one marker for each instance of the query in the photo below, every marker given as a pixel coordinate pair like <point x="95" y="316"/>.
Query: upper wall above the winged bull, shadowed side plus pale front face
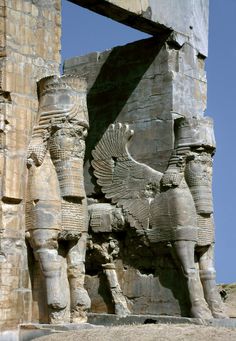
<point x="142" y="84"/>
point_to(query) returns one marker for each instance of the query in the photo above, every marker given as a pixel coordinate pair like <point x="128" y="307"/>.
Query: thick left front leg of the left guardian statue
<point x="44" y="243"/>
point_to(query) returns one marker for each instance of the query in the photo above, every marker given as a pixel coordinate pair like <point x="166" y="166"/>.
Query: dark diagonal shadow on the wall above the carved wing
<point x="115" y="83"/>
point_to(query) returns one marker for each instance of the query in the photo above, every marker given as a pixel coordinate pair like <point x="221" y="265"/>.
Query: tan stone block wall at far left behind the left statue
<point x="29" y="50"/>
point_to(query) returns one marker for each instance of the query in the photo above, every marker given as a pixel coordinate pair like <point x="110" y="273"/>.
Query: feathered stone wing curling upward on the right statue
<point x="128" y="183"/>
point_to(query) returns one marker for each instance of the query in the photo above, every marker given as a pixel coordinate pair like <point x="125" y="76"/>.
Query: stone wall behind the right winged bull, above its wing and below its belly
<point x="145" y="84"/>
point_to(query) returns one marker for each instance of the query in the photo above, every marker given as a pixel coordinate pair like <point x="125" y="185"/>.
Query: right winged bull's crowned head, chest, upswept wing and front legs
<point x="174" y="206"/>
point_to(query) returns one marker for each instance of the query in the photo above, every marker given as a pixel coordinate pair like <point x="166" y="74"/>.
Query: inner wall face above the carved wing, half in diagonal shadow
<point x="140" y="71"/>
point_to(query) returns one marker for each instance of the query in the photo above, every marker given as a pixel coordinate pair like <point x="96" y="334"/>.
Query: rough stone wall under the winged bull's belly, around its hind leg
<point x="145" y="292"/>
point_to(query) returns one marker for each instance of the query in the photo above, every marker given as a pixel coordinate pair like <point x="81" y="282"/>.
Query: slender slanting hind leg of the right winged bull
<point x="121" y="308"/>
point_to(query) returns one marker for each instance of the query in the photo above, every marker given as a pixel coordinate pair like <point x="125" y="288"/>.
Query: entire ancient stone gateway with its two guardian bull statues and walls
<point x="141" y="206"/>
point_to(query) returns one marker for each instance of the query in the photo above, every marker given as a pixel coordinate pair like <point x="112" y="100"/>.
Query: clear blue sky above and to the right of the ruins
<point x="84" y="32"/>
